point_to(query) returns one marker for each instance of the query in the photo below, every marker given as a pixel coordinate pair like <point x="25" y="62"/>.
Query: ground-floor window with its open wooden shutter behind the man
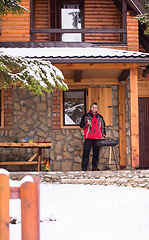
<point x="76" y="102"/>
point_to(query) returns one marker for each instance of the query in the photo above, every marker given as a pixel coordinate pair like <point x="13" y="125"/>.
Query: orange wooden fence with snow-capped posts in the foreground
<point x="28" y="192"/>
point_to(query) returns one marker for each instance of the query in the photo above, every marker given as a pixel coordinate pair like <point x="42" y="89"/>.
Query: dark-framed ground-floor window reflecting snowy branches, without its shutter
<point x="74" y="107"/>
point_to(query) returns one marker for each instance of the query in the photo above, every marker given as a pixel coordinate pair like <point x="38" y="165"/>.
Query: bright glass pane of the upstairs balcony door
<point x="71" y="19"/>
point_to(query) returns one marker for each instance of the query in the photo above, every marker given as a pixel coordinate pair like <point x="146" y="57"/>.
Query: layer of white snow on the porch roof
<point x="71" y="52"/>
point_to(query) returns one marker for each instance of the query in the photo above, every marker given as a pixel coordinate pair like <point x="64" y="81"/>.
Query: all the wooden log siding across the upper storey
<point x="98" y="14"/>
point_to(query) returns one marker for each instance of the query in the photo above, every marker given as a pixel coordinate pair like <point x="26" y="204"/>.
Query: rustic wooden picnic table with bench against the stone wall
<point x="39" y="146"/>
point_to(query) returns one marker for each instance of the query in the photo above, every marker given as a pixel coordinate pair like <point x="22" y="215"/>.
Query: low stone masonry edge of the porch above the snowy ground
<point x="124" y="178"/>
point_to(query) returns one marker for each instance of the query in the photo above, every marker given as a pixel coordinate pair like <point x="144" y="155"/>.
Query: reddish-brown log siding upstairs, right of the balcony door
<point x="102" y="14"/>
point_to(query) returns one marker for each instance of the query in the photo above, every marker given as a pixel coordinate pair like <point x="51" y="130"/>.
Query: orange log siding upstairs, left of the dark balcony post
<point x="16" y="27"/>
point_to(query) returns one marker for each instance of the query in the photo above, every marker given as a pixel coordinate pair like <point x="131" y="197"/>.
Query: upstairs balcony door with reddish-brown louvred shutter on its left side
<point x="58" y="14"/>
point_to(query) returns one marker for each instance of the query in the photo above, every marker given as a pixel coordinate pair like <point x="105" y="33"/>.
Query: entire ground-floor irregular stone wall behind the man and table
<point x="32" y="117"/>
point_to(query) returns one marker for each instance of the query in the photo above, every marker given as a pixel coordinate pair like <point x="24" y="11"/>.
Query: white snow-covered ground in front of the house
<point x="86" y="212"/>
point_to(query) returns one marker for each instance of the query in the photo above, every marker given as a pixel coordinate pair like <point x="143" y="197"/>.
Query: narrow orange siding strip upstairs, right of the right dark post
<point x="132" y="33"/>
